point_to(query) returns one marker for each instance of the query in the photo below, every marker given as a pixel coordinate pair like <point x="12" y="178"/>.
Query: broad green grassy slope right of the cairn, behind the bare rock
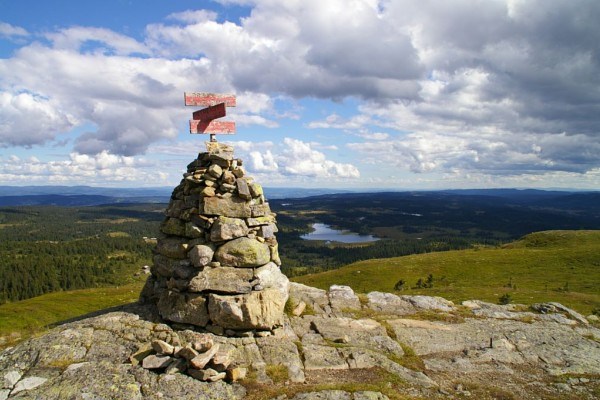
<point x="561" y="266"/>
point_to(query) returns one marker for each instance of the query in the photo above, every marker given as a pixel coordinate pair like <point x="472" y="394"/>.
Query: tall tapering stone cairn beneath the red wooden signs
<point x="216" y="265"/>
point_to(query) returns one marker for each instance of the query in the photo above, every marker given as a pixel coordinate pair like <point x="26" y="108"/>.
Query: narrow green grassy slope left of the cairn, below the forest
<point x="22" y="319"/>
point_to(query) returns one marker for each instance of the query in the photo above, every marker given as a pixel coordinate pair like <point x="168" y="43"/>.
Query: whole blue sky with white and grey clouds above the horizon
<point x="359" y="94"/>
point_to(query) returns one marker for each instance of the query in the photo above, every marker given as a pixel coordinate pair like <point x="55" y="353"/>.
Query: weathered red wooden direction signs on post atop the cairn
<point x="203" y="121"/>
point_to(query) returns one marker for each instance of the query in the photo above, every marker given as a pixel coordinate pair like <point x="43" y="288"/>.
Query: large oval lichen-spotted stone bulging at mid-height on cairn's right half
<point x="243" y="253"/>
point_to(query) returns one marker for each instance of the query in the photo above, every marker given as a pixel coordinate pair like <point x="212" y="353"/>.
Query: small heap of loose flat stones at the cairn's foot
<point x="203" y="360"/>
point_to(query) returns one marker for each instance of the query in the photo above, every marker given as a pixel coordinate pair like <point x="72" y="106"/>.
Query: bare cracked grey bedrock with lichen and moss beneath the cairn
<point x="384" y="347"/>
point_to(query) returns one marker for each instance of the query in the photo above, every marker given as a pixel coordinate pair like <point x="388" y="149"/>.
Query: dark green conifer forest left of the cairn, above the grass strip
<point x="45" y="249"/>
